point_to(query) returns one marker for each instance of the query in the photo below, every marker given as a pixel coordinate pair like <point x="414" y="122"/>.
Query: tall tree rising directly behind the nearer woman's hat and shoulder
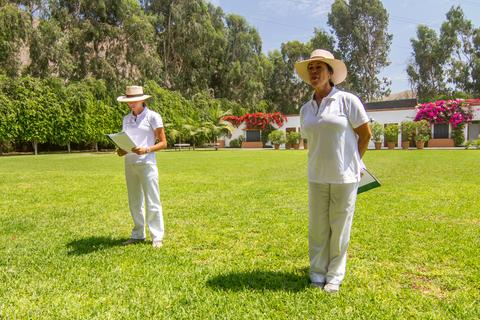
<point x="360" y="27"/>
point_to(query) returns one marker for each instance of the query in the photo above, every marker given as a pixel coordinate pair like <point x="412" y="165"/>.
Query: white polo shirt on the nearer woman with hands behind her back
<point x="333" y="155"/>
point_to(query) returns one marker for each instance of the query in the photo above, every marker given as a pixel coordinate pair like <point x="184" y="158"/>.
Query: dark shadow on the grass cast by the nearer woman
<point x="261" y="280"/>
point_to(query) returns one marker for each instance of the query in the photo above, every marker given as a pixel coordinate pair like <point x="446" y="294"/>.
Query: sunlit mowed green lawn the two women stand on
<point x="236" y="239"/>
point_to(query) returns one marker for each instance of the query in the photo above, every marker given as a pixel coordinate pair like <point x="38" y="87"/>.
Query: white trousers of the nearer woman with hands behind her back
<point x="331" y="213"/>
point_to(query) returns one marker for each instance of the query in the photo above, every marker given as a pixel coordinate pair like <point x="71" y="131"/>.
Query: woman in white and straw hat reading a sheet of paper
<point x="145" y="128"/>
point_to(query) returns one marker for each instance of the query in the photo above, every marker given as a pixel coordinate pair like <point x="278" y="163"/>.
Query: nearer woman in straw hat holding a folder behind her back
<point x="335" y="124"/>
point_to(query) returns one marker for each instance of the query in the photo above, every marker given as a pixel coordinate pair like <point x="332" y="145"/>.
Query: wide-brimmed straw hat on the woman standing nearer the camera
<point x="339" y="68"/>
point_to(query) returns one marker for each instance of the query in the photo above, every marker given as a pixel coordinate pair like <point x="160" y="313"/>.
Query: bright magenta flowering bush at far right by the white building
<point x="455" y="112"/>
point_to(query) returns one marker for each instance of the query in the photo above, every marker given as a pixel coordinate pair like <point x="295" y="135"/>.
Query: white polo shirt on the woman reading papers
<point x="141" y="129"/>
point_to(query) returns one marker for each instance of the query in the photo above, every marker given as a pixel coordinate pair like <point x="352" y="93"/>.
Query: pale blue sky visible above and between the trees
<point x="279" y="21"/>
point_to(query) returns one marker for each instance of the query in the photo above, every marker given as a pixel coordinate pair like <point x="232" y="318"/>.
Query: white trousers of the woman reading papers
<point x="142" y="185"/>
